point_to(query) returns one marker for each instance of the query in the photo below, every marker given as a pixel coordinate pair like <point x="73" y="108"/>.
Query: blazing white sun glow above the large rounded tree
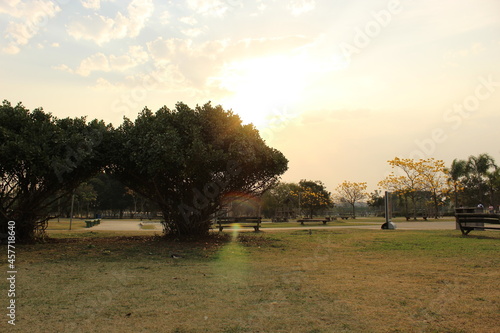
<point x="262" y="88"/>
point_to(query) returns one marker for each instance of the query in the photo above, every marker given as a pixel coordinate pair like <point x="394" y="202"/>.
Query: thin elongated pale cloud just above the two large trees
<point x="99" y="62"/>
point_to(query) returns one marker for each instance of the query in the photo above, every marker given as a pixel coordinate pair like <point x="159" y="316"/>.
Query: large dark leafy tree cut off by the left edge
<point x="43" y="158"/>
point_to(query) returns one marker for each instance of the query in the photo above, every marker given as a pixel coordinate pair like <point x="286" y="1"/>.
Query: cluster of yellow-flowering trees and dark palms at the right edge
<point x="426" y="187"/>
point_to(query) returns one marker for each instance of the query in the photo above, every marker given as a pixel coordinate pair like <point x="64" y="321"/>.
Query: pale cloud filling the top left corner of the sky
<point x="27" y="19"/>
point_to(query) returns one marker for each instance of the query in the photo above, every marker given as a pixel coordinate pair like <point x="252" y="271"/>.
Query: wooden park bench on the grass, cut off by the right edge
<point x="469" y="219"/>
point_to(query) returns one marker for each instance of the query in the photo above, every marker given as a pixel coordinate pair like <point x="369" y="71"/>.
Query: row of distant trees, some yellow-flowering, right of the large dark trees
<point x="420" y="188"/>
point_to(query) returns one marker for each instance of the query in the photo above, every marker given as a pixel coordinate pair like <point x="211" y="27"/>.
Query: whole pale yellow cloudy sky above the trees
<point x="340" y="87"/>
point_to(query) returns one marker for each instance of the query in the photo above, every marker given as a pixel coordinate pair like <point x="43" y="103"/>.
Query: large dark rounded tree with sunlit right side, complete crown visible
<point x="189" y="160"/>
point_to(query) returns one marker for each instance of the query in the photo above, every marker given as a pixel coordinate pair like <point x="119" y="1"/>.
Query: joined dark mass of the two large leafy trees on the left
<point x="185" y="161"/>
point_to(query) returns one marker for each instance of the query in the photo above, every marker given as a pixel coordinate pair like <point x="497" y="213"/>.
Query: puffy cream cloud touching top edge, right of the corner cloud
<point x="102" y="29"/>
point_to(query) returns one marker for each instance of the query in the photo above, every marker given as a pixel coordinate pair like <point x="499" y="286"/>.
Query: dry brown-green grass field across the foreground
<point x="329" y="281"/>
